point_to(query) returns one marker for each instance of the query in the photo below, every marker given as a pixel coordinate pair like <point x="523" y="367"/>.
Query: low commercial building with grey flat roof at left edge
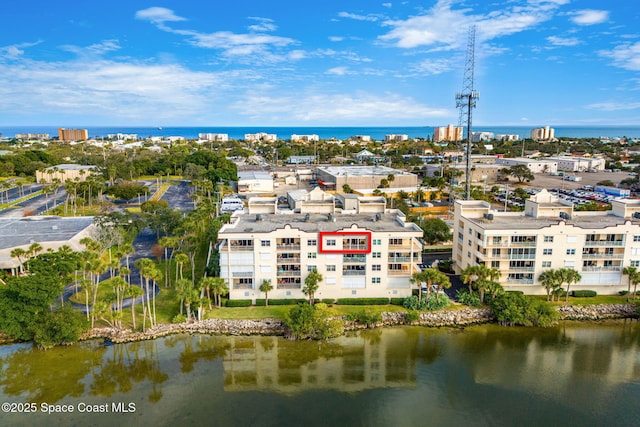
<point x="51" y="232"/>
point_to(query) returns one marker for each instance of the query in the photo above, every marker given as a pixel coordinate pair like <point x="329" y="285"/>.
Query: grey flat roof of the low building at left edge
<point x="16" y="232"/>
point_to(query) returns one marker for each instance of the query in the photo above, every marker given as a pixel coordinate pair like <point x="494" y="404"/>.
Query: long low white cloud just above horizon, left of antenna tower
<point x="343" y="108"/>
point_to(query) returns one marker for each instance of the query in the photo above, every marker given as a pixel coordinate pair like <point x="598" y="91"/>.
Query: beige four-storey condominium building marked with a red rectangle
<point x="370" y="253"/>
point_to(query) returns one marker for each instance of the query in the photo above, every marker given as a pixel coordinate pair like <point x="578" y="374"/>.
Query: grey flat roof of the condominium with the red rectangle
<point x="246" y="223"/>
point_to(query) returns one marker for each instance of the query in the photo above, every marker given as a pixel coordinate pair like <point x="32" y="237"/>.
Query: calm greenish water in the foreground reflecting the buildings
<point x="575" y="374"/>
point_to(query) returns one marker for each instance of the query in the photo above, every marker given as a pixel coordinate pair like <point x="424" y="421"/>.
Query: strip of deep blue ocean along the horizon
<point x="377" y="133"/>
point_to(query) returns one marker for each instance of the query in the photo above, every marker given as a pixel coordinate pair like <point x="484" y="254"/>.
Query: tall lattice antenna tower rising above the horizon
<point x="466" y="101"/>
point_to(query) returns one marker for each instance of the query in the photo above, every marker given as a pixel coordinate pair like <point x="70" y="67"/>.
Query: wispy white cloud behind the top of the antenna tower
<point x="444" y="28"/>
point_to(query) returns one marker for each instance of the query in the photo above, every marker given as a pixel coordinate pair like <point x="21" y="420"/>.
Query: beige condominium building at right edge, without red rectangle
<point x="549" y="234"/>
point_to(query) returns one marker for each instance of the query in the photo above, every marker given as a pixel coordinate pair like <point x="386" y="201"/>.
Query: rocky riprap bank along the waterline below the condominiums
<point x="457" y="318"/>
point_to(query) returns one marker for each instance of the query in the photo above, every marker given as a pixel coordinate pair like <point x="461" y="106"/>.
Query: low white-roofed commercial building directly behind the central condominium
<point x="363" y="177"/>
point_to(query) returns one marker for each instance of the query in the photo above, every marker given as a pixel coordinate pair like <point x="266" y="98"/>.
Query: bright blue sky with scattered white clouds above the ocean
<point x="317" y="63"/>
